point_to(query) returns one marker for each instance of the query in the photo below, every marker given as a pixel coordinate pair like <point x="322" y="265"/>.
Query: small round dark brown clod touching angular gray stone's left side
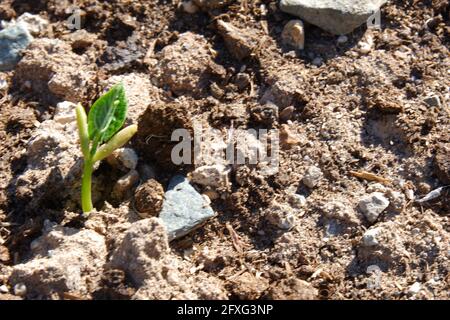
<point x="148" y="198"/>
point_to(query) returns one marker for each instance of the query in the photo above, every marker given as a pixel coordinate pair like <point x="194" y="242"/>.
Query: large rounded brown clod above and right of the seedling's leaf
<point x="187" y="66"/>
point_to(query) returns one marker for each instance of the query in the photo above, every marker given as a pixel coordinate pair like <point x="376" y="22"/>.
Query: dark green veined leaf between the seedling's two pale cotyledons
<point x="107" y="114"/>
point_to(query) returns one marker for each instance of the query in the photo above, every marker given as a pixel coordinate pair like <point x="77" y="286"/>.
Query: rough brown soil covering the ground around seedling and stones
<point x="357" y="111"/>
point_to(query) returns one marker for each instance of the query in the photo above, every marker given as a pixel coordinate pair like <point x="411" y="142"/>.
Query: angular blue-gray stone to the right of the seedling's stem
<point x="184" y="209"/>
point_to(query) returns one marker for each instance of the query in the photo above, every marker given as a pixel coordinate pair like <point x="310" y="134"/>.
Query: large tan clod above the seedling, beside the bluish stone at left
<point x="54" y="71"/>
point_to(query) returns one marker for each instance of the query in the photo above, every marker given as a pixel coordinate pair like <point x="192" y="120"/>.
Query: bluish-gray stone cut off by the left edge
<point x="12" y="41"/>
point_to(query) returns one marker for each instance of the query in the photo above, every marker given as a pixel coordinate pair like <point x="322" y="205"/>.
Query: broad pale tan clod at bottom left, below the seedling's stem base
<point x="64" y="260"/>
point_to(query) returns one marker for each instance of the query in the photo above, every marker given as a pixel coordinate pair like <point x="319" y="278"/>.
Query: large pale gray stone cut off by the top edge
<point x="335" y="16"/>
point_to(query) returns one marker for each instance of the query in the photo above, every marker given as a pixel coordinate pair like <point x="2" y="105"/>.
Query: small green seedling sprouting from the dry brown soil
<point x="99" y="135"/>
